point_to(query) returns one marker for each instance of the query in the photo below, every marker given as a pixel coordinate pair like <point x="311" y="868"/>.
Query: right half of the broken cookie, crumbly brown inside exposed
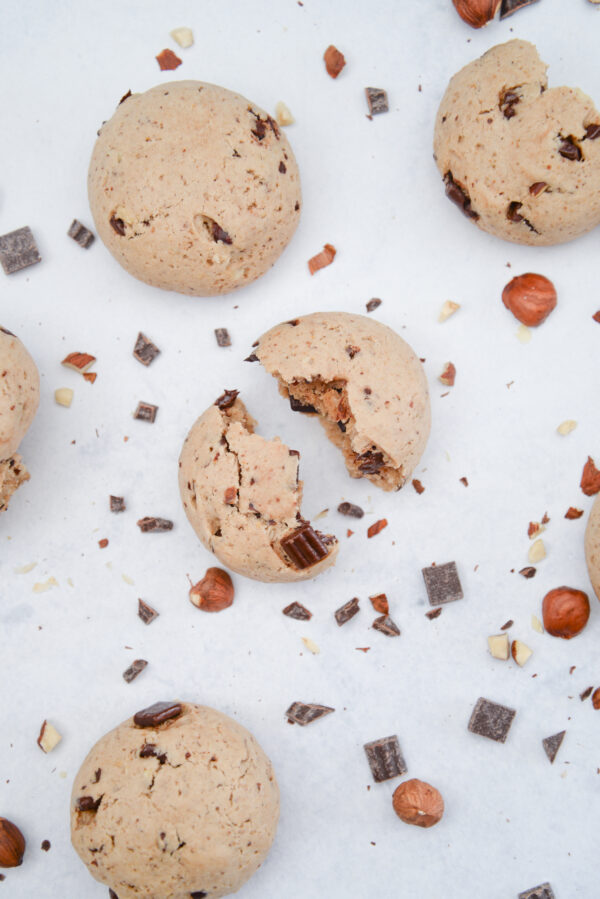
<point x="363" y="381"/>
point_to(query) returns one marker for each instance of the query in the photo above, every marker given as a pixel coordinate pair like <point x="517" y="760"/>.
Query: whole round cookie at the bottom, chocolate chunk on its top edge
<point x="183" y="808"/>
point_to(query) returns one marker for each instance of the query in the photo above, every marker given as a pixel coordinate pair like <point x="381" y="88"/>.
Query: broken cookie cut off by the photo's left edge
<point x="19" y="400"/>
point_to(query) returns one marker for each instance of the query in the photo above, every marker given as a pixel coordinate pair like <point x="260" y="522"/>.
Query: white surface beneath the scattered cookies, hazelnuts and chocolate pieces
<point x="371" y="188"/>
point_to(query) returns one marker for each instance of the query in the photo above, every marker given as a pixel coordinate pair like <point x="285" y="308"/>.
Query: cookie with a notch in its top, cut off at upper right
<point x="520" y="161"/>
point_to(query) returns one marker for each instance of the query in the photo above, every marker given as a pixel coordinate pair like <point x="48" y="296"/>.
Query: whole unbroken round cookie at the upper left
<point x="193" y="188"/>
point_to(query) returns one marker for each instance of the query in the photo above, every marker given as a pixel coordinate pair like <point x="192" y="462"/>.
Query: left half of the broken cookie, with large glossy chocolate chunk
<point x="242" y="496"/>
